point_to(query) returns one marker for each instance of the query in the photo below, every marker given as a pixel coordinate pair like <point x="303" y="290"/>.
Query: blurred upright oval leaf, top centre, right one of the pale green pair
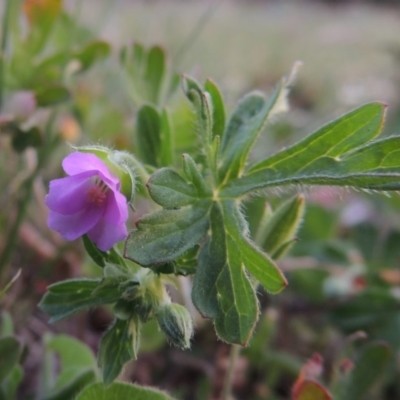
<point x="154" y="73"/>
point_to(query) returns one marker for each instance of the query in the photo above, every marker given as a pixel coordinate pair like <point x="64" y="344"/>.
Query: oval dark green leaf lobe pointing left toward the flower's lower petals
<point x="163" y="236"/>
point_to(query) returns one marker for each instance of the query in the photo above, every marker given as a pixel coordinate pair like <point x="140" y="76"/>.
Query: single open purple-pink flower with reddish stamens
<point x="87" y="201"/>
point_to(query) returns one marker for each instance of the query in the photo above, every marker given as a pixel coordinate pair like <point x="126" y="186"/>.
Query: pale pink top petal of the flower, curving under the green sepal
<point x="76" y="163"/>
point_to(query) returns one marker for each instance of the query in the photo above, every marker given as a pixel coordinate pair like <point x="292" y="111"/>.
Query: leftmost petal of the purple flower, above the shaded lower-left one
<point x="69" y="195"/>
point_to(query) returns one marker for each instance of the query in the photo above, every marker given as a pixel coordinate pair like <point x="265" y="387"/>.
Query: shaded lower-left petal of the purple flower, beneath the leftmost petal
<point x="73" y="226"/>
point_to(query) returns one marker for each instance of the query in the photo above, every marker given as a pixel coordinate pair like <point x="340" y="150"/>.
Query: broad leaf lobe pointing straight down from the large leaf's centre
<point x="221" y="289"/>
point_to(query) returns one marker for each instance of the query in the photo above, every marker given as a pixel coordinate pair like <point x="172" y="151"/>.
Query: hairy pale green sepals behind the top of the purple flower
<point x="120" y="163"/>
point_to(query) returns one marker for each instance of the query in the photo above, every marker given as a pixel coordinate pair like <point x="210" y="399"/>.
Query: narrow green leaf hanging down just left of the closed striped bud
<point x="116" y="349"/>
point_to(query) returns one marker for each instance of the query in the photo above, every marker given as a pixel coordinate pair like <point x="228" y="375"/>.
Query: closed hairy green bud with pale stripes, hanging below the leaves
<point x="175" y="321"/>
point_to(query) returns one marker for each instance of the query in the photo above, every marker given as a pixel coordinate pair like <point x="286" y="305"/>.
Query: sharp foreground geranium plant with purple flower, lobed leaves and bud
<point x="200" y="229"/>
